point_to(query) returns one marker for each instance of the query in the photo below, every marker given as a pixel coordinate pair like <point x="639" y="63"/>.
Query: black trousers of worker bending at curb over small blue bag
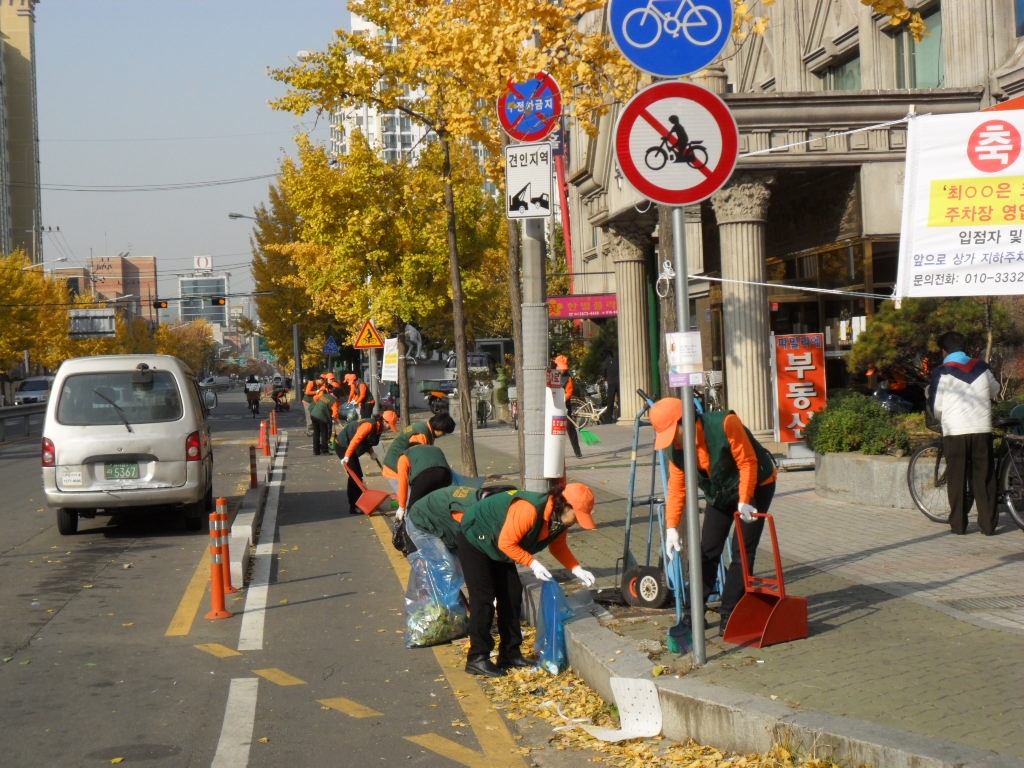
<point x="489" y="581"/>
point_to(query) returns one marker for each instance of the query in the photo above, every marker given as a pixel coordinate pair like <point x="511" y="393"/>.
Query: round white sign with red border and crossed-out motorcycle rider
<point x="648" y="136"/>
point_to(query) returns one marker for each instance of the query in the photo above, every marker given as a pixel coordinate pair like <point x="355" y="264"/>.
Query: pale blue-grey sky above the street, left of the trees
<point x="166" y="93"/>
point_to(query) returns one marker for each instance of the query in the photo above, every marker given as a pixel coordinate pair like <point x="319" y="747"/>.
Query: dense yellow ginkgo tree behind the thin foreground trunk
<point x="372" y="249"/>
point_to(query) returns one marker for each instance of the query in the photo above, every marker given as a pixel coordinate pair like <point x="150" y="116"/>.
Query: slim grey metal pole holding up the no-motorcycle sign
<point x="690" y="441"/>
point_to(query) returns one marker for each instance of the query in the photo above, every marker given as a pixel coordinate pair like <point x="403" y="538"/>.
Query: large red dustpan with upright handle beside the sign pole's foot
<point x="765" y="615"/>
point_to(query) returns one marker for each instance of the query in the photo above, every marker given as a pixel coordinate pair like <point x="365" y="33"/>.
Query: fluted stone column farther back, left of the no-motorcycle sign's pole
<point x="629" y="243"/>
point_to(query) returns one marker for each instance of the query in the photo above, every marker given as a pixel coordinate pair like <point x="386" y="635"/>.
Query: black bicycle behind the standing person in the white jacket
<point x="926" y="476"/>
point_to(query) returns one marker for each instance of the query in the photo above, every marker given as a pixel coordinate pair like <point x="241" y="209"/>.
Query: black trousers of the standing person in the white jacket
<point x="971" y="478"/>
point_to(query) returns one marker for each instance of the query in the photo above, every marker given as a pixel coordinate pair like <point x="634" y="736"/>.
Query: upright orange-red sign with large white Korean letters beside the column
<point x="800" y="363"/>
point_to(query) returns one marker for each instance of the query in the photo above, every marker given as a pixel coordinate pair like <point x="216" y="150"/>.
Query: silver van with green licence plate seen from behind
<point x="124" y="433"/>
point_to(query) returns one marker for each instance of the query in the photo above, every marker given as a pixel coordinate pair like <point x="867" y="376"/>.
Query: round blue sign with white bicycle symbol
<point x="670" y="38"/>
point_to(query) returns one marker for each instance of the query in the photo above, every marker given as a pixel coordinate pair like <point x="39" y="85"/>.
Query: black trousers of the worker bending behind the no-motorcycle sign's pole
<point x="713" y="537"/>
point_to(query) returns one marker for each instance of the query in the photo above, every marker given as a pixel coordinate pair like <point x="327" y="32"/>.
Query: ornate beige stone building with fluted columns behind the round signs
<point x="822" y="101"/>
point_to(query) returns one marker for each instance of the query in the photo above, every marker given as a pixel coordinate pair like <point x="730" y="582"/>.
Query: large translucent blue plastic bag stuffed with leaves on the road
<point x="436" y="611"/>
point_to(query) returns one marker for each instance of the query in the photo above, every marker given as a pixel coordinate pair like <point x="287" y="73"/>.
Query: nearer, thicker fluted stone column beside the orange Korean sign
<point x="741" y="208"/>
